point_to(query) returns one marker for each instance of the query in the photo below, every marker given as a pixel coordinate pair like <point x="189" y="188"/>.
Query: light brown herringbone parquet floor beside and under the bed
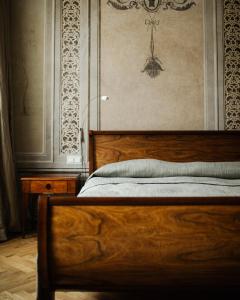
<point x="18" y="272"/>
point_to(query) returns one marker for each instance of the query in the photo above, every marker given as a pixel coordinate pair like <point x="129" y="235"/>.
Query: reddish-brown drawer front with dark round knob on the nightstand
<point x="45" y="186"/>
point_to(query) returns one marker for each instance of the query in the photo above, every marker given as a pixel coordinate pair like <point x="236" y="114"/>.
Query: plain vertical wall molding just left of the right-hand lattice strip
<point x="213" y="65"/>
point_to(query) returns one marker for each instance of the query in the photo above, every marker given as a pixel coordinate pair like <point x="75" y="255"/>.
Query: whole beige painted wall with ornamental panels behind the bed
<point x="63" y="63"/>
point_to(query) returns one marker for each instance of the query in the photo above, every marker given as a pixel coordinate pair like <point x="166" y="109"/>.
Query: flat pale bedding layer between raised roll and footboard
<point x="160" y="187"/>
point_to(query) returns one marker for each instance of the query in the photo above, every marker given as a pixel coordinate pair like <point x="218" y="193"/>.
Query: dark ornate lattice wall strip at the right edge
<point x="232" y="63"/>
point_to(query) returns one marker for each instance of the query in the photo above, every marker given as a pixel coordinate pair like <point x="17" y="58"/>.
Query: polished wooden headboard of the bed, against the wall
<point x="179" y="146"/>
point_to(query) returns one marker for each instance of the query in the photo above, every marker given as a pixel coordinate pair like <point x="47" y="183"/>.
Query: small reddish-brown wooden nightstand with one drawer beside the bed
<point x="46" y="184"/>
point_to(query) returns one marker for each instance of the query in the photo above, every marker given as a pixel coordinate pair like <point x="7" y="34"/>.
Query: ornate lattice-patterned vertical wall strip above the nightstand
<point x="70" y="78"/>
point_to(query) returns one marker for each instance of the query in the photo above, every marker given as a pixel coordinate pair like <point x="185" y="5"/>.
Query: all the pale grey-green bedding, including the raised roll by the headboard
<point x="155" y="178"/>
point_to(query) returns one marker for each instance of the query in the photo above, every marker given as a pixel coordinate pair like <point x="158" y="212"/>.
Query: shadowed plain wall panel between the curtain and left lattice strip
<point x="32" y="42"/>
